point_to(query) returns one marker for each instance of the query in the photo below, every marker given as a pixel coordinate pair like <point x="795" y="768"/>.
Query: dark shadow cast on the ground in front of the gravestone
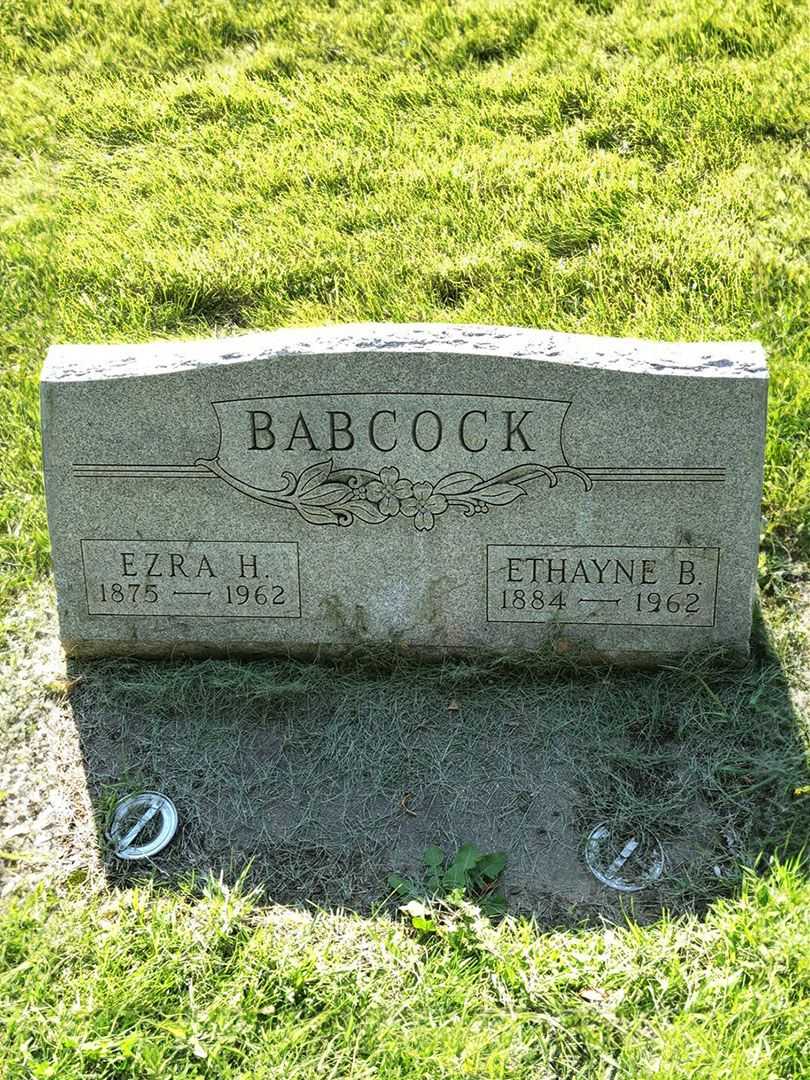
<point x="327" y="780"/>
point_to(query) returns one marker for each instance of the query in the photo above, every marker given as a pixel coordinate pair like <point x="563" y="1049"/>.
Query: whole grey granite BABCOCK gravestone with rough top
<point x="439" y="488"/>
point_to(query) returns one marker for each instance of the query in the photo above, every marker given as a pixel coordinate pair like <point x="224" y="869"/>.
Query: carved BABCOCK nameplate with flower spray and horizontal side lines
<point x="300" y="453"/>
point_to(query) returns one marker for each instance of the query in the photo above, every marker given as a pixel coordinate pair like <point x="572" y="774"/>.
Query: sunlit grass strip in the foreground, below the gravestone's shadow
<point x="212" y="985"/>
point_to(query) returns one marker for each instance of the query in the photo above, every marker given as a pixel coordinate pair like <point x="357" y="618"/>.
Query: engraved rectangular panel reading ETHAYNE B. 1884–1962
<point x="602" y="586"/>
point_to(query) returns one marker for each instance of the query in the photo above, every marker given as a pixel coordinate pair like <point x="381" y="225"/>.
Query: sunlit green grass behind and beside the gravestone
<point x="201" y="168"/>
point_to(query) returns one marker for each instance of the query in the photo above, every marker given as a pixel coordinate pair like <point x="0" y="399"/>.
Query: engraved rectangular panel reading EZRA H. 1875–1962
<point x="204" y="578"/>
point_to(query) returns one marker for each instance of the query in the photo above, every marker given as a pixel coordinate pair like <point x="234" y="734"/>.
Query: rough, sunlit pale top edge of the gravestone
<point x="737" y="360"/>
